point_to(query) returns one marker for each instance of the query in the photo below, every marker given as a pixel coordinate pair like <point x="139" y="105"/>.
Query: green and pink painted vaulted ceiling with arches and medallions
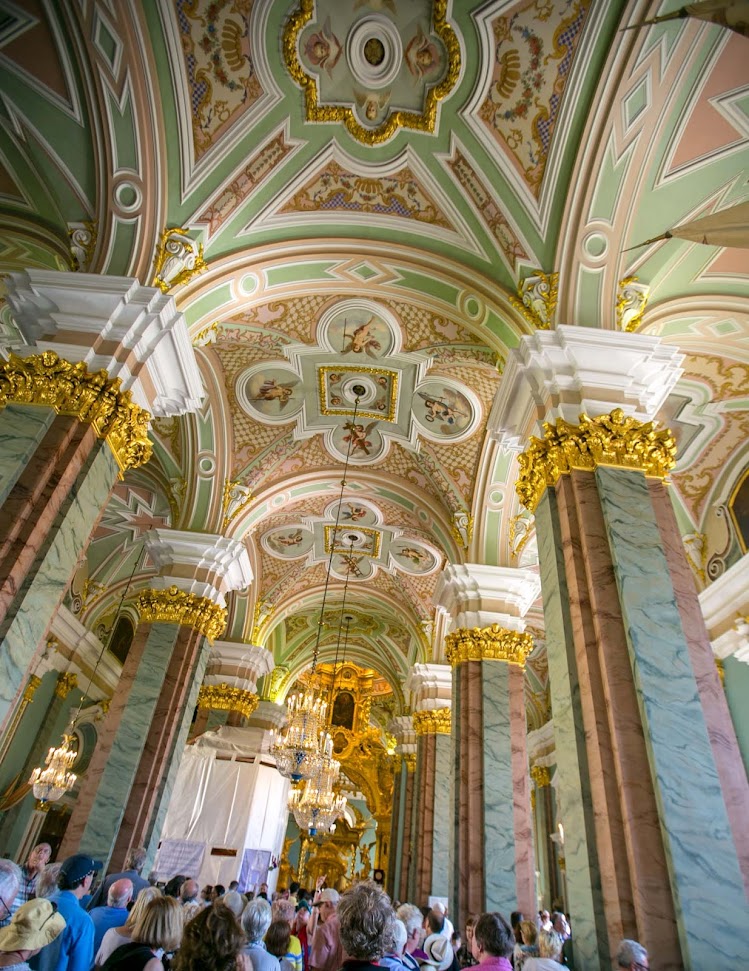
<point x="371" y="183"/>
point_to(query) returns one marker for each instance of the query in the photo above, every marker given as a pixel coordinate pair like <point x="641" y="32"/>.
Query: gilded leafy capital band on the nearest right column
<point x="608" y="440"/>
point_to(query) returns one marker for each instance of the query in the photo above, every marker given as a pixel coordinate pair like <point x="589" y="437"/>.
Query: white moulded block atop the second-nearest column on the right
<point x="477" y="596"/>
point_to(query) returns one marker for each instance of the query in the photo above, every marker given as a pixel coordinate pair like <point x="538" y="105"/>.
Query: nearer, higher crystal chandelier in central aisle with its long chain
<point x="304" y="749"/>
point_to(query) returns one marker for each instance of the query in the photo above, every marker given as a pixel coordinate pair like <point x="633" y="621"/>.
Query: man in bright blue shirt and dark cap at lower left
<point x="74" y="951"/>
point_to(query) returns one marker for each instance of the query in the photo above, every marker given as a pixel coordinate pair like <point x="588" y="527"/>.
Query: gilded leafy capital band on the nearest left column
<point x="71" y="389"/>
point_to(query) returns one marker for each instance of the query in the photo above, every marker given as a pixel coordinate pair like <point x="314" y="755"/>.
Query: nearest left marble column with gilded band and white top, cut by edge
<point x="131" y="358"/>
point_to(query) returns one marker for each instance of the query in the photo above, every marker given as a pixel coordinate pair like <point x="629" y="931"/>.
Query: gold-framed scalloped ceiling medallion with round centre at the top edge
<point x="375" y="72"/>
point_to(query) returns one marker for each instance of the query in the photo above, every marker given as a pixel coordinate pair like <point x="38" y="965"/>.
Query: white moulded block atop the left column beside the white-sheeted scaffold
<point x="204" y="564"/>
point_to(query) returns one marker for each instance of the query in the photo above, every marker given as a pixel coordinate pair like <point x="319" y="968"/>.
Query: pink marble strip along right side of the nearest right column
<point x="720" y="729"/>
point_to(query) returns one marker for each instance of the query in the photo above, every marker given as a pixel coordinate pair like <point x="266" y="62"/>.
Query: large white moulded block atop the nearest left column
<point x="134" y="333"/>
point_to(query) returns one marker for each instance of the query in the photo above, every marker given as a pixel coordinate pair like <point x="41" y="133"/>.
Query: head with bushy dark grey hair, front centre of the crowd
<point x="366" y="922"/>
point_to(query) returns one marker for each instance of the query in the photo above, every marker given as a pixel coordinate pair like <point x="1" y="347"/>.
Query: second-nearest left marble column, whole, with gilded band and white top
<point x="133" y="770"/>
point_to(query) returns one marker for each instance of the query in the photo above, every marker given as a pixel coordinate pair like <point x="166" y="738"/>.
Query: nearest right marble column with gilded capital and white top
<point x="646" y="824"/>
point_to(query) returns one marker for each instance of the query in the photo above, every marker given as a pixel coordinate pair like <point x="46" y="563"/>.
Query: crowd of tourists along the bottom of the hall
<point x="50" y="920"/>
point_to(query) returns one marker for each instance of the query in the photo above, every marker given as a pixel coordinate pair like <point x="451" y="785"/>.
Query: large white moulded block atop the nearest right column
<point x="562" y="373"/>
